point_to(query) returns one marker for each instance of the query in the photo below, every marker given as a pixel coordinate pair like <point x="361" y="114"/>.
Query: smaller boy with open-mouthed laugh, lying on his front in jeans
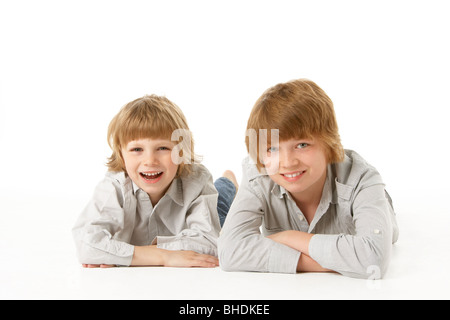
<point x="156" y="205"/>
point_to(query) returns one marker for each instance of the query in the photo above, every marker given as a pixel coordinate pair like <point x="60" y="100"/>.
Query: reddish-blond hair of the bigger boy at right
<point x="299" y="109"/>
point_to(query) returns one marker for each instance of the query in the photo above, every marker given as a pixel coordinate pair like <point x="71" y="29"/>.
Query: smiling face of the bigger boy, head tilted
<point x="302" y="167"/>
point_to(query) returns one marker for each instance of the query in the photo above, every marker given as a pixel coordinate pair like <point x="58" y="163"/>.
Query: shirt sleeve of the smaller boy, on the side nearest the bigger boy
<point x="202" y="226"/>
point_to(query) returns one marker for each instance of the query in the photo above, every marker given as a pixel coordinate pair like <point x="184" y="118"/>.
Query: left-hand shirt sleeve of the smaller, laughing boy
<point x="100" y="234"/>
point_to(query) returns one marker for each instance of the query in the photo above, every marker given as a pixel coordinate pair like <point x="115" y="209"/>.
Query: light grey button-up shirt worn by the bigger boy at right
<point x="354" y="225"/>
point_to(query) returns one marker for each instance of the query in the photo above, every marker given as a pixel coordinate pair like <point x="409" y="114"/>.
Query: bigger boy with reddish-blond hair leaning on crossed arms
<point x="321" y="208"/>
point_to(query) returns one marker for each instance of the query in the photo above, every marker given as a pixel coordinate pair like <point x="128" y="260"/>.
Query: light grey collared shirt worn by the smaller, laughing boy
<point x="121" y="216"/>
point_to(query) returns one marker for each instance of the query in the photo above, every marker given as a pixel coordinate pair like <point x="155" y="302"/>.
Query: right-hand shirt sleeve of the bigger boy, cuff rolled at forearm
<point x="367" y="253"/>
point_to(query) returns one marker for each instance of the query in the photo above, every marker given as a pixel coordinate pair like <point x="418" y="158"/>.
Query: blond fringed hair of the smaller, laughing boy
<point x="153" y="117"/>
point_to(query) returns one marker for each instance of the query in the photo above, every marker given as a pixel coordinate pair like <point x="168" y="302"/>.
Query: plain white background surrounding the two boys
<point x="67" y="67"/>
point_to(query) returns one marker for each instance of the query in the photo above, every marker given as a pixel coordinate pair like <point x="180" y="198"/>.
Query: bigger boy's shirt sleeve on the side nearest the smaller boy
<point x="242" y="247"/>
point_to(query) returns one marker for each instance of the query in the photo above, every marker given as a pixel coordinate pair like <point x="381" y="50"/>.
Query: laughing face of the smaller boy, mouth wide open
<point x="149" y="164"/>
